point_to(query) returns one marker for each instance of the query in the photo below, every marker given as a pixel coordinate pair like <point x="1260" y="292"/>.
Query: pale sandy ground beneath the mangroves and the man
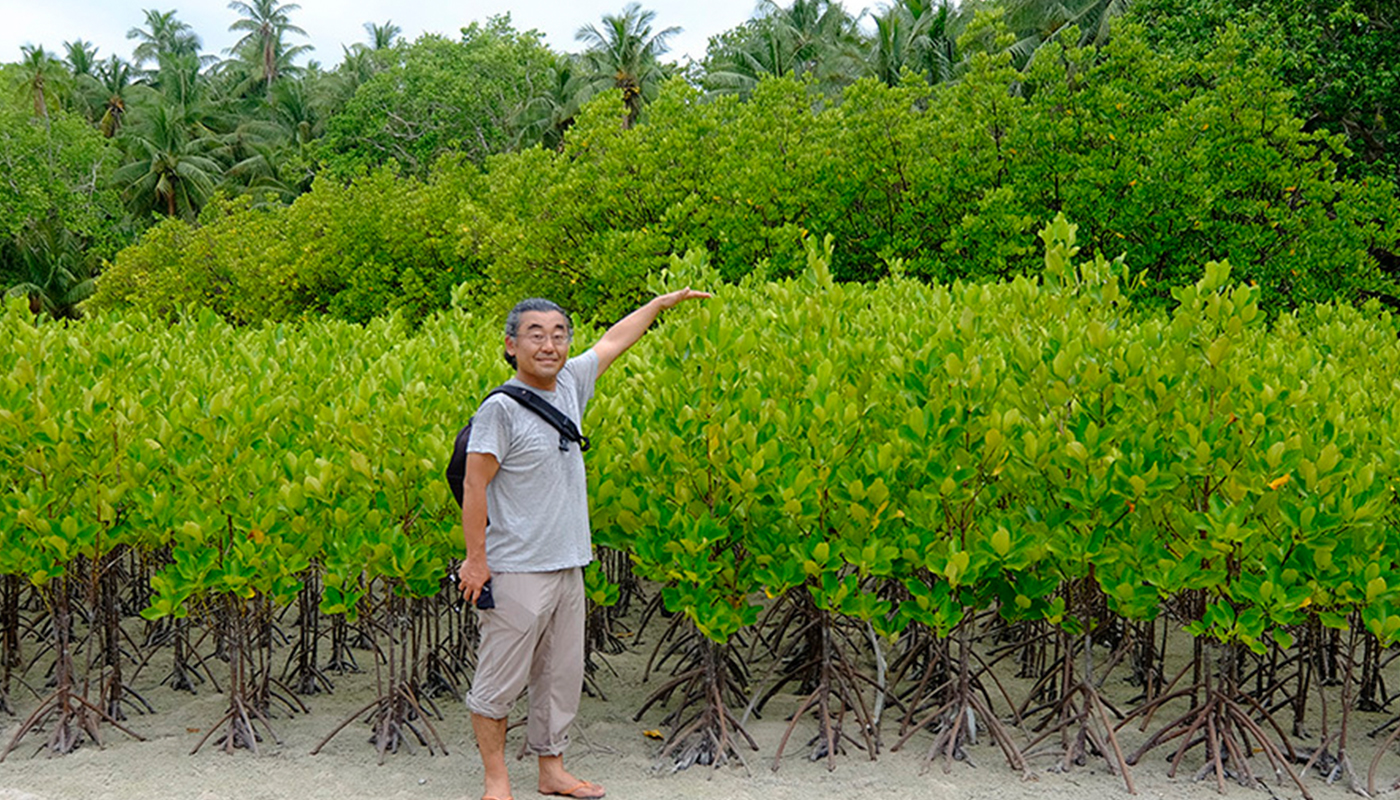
<point x="608" y="747"/>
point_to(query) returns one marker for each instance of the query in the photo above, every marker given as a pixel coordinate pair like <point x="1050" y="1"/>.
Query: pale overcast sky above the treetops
<point x="332" y="25"/>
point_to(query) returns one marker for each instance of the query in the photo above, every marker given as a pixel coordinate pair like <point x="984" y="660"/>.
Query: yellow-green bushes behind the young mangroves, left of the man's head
<point x="353" y="251"/>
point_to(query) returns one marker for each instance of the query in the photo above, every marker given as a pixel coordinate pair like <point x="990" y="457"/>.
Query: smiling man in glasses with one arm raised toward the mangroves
<point x="537" y="540"/>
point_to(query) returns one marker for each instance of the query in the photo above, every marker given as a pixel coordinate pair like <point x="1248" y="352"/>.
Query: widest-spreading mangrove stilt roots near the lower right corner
<point x="1223" y="722"/>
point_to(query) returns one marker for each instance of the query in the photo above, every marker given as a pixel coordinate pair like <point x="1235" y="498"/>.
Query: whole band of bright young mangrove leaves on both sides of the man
<point x="894" y="455"/>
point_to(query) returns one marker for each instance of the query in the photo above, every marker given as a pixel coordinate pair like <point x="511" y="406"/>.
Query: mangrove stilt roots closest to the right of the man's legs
<point x="708" y="677"/>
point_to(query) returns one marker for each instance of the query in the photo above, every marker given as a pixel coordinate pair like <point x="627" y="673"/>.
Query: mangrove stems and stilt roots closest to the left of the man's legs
<point x="395" y="714"/>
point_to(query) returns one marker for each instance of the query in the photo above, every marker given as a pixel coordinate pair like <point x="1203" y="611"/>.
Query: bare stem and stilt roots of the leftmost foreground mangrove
<point x="66" y="712"/>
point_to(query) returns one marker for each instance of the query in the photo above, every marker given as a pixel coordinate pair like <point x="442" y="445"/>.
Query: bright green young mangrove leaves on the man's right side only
<point x="990" y="445"/>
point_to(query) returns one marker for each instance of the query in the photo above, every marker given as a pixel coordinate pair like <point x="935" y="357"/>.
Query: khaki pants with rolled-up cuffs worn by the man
<point x="533" y="640"/>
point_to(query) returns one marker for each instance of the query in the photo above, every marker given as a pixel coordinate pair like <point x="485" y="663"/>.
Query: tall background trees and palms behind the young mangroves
<point x="934" y="145"/>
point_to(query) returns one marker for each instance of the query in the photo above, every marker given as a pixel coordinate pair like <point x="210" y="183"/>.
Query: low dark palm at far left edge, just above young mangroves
<point x="50" y="267"/>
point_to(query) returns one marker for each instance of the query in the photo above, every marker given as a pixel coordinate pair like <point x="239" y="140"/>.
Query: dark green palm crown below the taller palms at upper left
<point x="170" y="170"/>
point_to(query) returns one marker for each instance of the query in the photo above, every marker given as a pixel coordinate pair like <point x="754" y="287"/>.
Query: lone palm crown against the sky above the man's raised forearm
<point x="625" y="54"/>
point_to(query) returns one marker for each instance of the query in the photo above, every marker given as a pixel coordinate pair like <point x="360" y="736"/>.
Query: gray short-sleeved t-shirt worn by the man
<point x="538" y="504"/>
